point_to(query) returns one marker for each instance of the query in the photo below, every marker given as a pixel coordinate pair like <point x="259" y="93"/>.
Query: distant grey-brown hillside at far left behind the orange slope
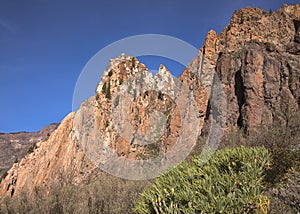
<point x="13" y="146"/>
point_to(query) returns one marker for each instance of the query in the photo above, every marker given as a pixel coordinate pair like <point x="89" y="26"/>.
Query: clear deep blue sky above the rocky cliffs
<point x="44" y="45"/>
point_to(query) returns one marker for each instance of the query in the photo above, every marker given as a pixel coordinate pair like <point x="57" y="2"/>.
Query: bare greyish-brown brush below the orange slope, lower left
<point x="107" y="194"/>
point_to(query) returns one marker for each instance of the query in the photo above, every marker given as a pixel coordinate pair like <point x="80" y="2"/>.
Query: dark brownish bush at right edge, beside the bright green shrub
<point x="282" y="142"/>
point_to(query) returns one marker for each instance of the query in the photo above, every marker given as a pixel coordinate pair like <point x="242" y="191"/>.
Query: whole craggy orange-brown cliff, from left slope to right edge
<point x="256" y="58"/>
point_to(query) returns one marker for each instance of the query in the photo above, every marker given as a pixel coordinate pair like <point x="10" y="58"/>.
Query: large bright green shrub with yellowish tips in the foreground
<point x="230" y="182"/>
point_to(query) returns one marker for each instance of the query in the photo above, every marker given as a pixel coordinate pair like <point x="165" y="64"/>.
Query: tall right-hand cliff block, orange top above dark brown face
<point x="258" y="65"/>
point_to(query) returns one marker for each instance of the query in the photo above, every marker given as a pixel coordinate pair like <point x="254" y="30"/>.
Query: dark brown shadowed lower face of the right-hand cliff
<point x="261" y="86"/>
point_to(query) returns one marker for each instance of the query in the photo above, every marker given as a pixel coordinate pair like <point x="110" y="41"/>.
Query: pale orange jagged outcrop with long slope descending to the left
<point x="151" y="113"/>
